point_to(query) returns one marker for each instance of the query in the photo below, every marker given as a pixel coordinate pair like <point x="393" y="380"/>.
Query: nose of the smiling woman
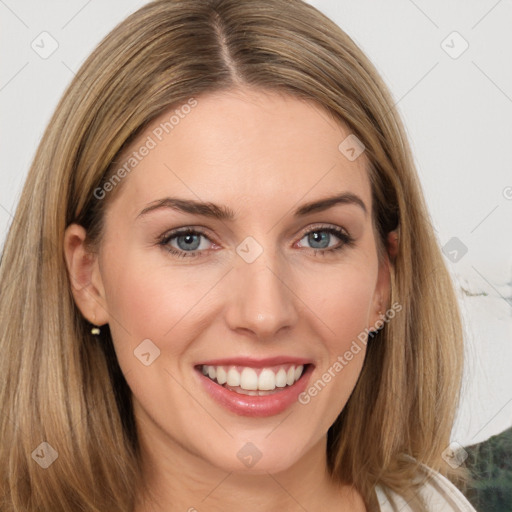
<point x="261" y="299"/>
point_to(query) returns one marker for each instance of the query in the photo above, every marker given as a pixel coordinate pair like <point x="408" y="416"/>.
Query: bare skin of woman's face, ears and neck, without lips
<point x="262" y="155"/>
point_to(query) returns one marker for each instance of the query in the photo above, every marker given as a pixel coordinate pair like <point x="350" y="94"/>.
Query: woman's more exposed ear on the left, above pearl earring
<point x="84" y="275"/>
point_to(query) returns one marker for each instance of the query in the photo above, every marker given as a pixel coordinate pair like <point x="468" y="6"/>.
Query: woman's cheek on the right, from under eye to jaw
<point x="341" y="308"/>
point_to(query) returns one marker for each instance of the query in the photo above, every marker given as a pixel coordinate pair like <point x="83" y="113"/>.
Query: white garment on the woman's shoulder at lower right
<point x="439" y="494"/>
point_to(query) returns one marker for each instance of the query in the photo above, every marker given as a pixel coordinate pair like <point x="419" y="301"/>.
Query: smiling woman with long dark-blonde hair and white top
<point x="221" y="289"/>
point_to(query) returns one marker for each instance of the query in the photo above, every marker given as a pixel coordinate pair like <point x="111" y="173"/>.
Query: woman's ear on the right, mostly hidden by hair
<point x="383" y="288"/>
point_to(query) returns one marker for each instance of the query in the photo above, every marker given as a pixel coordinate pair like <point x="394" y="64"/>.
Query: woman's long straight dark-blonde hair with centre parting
<point x="62" y="386"/>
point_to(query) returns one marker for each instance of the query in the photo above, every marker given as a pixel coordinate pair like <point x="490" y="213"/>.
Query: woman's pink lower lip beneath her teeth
<point x="256" y="406"/>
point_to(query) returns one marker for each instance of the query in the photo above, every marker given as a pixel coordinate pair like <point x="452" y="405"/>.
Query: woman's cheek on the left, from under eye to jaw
<point x="166" y="306"/>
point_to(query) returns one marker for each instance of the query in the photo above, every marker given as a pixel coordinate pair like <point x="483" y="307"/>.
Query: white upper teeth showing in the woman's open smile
<point x="254" y="381"/>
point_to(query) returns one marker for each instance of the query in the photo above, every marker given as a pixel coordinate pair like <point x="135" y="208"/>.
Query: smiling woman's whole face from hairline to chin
<point x="214" y="257"/>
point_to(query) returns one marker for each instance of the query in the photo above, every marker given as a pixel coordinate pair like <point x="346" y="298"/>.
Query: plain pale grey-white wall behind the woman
<point x="457" y="112"/>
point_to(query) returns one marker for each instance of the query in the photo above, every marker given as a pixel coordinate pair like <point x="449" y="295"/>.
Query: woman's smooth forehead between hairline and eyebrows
<point x="244" y="144"/>
